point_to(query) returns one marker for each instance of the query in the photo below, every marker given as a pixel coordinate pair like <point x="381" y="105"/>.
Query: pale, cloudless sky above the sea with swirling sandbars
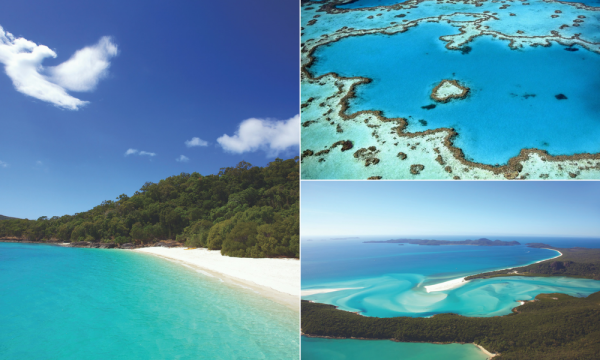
<point x="450" y="208"/>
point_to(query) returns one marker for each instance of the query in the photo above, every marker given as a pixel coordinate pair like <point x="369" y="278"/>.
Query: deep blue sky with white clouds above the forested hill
<point x="99" y="97"/>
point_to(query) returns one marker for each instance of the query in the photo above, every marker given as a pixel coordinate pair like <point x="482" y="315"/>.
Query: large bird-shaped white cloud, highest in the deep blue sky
<point x="23" y="59"/>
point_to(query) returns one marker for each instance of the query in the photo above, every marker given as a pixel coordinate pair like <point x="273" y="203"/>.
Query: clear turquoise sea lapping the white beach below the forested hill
<point x="69" y="303"/>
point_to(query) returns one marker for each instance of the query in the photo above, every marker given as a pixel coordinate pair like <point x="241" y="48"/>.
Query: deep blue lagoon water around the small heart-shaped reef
<point x="512" y="104"/>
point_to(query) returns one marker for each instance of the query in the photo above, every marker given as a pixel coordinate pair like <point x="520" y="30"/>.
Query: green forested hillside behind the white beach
<point x="244" y="211"/>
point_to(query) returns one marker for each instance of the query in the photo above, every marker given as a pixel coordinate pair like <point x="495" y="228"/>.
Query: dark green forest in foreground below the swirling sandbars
<point x="555" y="326"/>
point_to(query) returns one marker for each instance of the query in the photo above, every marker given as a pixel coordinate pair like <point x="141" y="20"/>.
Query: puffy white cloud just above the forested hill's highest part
<point x="271" y="136"/>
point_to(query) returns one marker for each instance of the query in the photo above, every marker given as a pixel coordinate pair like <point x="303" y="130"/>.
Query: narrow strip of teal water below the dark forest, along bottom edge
<point x="346" y="349"/>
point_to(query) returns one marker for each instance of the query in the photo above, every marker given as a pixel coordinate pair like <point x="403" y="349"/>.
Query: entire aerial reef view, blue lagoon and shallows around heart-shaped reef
<point x="370" y="74"/>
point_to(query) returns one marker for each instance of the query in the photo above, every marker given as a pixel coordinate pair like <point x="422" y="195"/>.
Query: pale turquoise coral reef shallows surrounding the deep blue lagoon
<point x="430" y="154"/>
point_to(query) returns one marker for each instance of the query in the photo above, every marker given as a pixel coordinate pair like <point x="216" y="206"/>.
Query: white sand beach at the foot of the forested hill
<point x="276" y="279"/>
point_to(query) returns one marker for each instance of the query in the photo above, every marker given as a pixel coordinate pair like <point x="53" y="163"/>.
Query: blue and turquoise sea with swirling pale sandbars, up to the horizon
<point x="389" y="279"/>
